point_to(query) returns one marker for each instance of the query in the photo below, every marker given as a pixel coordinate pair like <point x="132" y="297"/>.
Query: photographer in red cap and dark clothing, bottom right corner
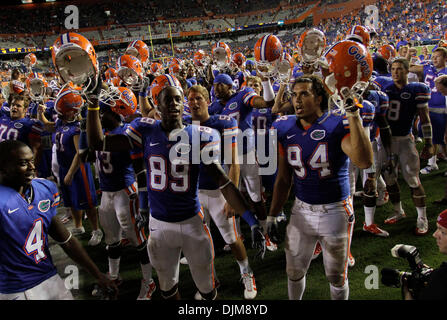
<point x="436" y="287"/>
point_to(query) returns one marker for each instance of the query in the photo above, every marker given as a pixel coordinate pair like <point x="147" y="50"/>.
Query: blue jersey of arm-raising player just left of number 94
<point x="240" y="107"/>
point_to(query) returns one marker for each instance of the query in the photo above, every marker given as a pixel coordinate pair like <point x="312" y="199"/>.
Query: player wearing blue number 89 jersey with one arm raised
<point x="176" y="220"/>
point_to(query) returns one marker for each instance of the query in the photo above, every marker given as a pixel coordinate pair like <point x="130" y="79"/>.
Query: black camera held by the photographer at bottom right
<point x="416" y="279"/>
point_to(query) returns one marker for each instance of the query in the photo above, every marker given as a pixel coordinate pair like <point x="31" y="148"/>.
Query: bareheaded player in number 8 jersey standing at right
<point x="406" y="101"/>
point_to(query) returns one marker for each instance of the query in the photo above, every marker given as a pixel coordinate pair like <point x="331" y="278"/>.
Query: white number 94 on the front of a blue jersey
<point x="318" y="161"/>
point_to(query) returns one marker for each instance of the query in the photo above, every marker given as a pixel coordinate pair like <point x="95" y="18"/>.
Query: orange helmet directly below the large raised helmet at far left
<point x="69" y="102"/>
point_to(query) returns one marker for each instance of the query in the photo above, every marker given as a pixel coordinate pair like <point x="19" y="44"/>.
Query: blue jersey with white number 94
<point x="320" y="166"/>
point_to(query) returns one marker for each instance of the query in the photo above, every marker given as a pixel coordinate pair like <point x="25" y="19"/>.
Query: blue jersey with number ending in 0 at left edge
<point x="24" y="129"/>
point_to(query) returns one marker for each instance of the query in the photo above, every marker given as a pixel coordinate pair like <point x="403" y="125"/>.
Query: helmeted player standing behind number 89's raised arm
<point x="118" y="209"/>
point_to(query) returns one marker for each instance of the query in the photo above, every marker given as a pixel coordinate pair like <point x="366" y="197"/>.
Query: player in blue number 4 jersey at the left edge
<point x="28" y="215"/>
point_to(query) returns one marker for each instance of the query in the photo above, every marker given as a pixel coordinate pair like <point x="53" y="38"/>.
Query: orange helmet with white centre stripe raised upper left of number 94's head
<point x="268" y="52"/>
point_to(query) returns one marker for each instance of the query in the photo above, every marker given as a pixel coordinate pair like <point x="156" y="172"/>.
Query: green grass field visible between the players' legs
<point x="270" y="273"/>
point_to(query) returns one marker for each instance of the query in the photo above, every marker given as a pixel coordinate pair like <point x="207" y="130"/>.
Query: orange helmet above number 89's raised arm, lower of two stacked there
<point x="130" y="71"/>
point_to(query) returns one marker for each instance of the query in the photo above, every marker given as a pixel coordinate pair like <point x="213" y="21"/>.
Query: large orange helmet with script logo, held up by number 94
<point x="350" y="68"/>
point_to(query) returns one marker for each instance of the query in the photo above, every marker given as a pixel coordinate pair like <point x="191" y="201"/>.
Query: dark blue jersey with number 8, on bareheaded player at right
<point x="404" y="104"/>
